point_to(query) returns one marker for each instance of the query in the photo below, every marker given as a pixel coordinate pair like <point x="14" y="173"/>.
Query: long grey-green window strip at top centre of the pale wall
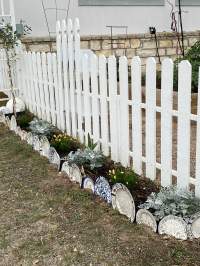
<point x="122" y="2"/>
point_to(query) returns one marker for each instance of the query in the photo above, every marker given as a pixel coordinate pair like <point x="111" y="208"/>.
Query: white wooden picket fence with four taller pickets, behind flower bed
<point x="84" y="95"/>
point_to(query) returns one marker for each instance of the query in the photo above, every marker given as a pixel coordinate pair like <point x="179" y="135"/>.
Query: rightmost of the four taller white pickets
<point x="78" y="79"/>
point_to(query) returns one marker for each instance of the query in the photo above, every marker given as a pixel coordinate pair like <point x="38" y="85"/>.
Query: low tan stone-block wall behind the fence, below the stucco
<point x="142" y="45"/>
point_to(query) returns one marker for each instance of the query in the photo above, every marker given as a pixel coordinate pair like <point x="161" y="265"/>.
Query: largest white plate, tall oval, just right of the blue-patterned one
<point x="122" y="200"/>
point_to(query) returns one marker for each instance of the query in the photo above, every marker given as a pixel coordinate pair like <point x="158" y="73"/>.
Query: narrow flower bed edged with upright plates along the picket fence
<point x="167" y="211"/>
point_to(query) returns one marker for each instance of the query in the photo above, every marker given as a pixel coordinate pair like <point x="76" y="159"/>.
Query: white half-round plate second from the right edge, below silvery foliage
<point x="173" y="226"/>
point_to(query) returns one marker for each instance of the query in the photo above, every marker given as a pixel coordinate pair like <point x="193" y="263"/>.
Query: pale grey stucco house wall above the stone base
<point x="94" y="19"/>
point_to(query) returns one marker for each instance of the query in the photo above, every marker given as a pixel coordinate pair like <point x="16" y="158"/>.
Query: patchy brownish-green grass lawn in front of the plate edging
<point x="46" y="220"/>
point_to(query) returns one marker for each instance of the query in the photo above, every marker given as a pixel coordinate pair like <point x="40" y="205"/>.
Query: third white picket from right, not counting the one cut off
<point x="151" y="119"/>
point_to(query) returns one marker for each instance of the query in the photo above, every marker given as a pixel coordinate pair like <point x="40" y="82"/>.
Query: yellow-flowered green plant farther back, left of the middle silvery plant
<point x="64" y="144"/>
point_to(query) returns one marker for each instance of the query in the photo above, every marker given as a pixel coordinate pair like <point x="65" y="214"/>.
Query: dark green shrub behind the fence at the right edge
<point x="193" y="56"/>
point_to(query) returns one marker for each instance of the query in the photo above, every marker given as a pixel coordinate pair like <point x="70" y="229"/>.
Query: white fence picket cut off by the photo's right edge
<point x="197" y="187"/>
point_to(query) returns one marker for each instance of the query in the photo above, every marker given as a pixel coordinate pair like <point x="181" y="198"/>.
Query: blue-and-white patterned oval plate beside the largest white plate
<point x="102" y="189"/>
